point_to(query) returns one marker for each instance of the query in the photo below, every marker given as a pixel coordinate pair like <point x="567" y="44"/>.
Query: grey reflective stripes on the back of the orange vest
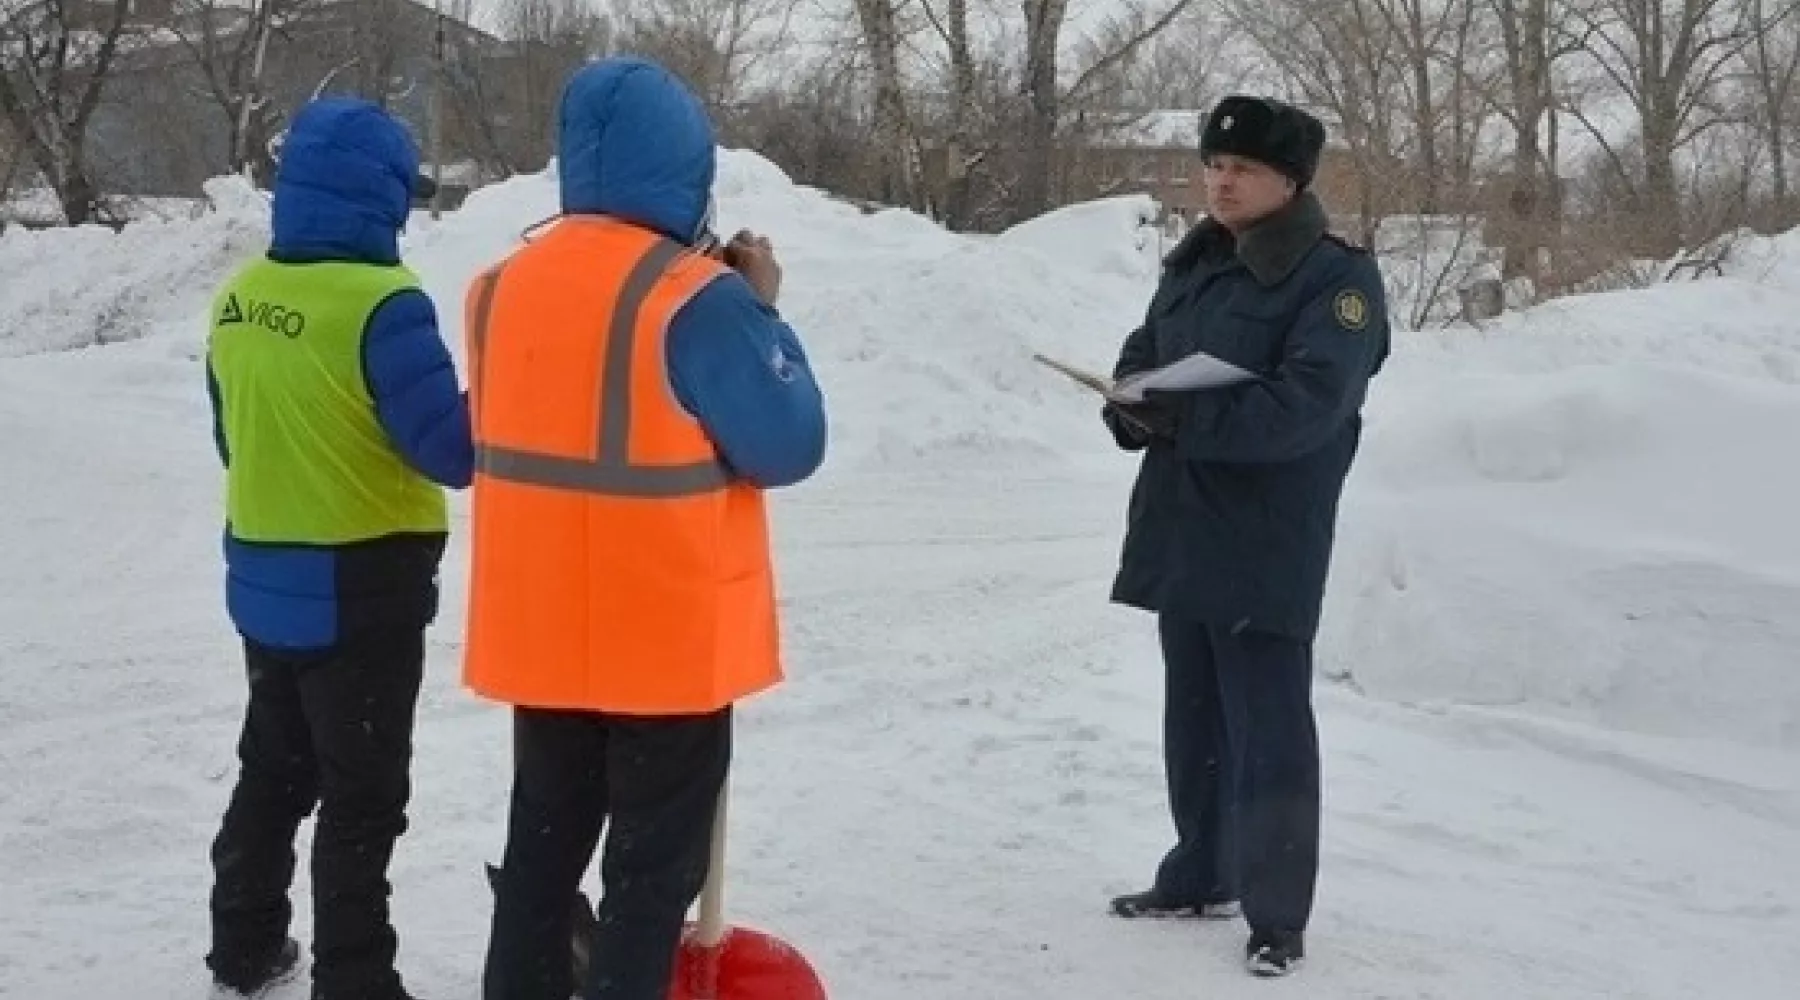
<point x="611" y="470"/>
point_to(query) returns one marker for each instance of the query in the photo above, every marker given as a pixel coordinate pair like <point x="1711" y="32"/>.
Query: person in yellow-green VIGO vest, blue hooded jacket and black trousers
<point x="341" y="424"/>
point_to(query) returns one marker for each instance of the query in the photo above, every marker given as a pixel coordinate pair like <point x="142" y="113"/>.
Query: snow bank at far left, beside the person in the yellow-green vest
<point x="89" y="287"/>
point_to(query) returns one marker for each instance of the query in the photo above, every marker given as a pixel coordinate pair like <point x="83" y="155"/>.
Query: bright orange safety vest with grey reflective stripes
<point x="616" y="566"/>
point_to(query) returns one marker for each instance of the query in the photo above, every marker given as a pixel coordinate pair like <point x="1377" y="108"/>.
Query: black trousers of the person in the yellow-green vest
<point x="330" y="729"/>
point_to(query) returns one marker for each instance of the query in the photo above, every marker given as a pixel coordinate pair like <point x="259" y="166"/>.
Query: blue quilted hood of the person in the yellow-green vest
<point x="345" y="184"/>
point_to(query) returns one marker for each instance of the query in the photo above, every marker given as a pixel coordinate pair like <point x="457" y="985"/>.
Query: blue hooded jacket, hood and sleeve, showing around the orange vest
<point x="636" y="145"/>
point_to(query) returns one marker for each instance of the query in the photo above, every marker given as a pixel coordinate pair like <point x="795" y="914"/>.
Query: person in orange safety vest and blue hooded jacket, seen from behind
<point x="633" y="397"/>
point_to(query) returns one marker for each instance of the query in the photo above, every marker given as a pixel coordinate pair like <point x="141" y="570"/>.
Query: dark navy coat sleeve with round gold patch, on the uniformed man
<point x="1338" y="343"/>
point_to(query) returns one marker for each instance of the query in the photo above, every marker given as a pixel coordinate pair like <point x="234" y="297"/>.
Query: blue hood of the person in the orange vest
<point x="634" y="145"/>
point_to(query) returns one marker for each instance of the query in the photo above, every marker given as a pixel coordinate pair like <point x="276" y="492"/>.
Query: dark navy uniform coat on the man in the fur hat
<point x="1236" y="506"/>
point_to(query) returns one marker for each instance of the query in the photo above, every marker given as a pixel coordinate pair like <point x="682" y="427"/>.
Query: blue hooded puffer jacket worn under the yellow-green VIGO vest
<point x="346" y="184"/>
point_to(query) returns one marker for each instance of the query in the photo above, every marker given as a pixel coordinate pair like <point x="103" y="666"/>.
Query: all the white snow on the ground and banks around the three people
<point x="1561" y="720"/>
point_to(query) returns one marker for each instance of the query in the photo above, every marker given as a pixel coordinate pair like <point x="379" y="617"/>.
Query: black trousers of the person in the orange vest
<point x="654" y="785"/>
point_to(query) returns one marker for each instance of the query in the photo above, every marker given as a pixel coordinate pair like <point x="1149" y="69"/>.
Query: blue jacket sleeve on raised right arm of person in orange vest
<point x="742" y="373"/>
